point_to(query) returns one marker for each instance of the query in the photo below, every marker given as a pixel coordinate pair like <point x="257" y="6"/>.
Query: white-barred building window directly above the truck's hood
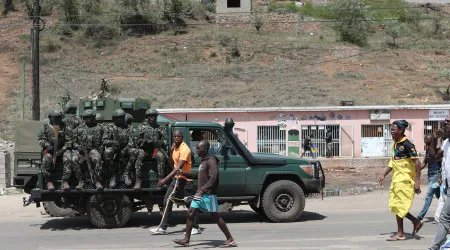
<point x="271" y="140"/>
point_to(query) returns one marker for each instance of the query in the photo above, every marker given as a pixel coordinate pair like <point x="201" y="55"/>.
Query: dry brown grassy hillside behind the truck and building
<point x="227" y="65"/>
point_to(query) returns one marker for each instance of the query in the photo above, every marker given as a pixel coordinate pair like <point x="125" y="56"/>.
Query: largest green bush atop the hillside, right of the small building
<point x="352" y="21"/>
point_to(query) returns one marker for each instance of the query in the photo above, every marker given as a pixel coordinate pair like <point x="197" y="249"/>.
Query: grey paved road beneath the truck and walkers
<point x="353" y="222"/>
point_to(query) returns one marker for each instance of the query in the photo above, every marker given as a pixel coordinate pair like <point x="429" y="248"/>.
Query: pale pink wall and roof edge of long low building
<point x="250" y="120"/>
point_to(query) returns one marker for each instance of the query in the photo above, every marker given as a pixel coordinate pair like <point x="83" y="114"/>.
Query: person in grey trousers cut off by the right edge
<point x="443" y="151"/>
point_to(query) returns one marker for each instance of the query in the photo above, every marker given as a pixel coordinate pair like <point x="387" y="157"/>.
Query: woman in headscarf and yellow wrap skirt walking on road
<point x="405" y="166"/>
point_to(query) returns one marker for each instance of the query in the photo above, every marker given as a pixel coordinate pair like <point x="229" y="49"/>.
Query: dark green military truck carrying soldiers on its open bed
<point x="273" y="185"/>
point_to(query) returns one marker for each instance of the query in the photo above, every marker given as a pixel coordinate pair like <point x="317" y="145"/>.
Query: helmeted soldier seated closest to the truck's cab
<point x="153" y="140"/>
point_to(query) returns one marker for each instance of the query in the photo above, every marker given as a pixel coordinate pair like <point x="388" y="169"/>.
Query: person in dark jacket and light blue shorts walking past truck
<point x="206" y="198"/>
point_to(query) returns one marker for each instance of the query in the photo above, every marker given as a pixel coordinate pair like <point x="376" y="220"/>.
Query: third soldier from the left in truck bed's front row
<point x="88" y="141"/>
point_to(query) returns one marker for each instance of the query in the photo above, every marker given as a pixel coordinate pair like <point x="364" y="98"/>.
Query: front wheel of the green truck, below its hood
<point x="283" y="201"/>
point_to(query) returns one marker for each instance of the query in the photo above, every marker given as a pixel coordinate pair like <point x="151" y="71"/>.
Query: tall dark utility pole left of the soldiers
<point x="36" y="110"/>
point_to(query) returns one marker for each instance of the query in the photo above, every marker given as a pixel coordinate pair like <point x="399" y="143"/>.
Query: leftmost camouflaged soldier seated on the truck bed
<point x="51" y="139"/>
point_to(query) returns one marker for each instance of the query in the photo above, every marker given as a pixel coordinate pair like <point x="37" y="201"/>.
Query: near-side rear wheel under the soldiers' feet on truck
<point x="109" y="210"/>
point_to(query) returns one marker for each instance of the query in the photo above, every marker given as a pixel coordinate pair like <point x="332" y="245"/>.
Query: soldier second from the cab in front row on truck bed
<point x="135" y="155"/>
